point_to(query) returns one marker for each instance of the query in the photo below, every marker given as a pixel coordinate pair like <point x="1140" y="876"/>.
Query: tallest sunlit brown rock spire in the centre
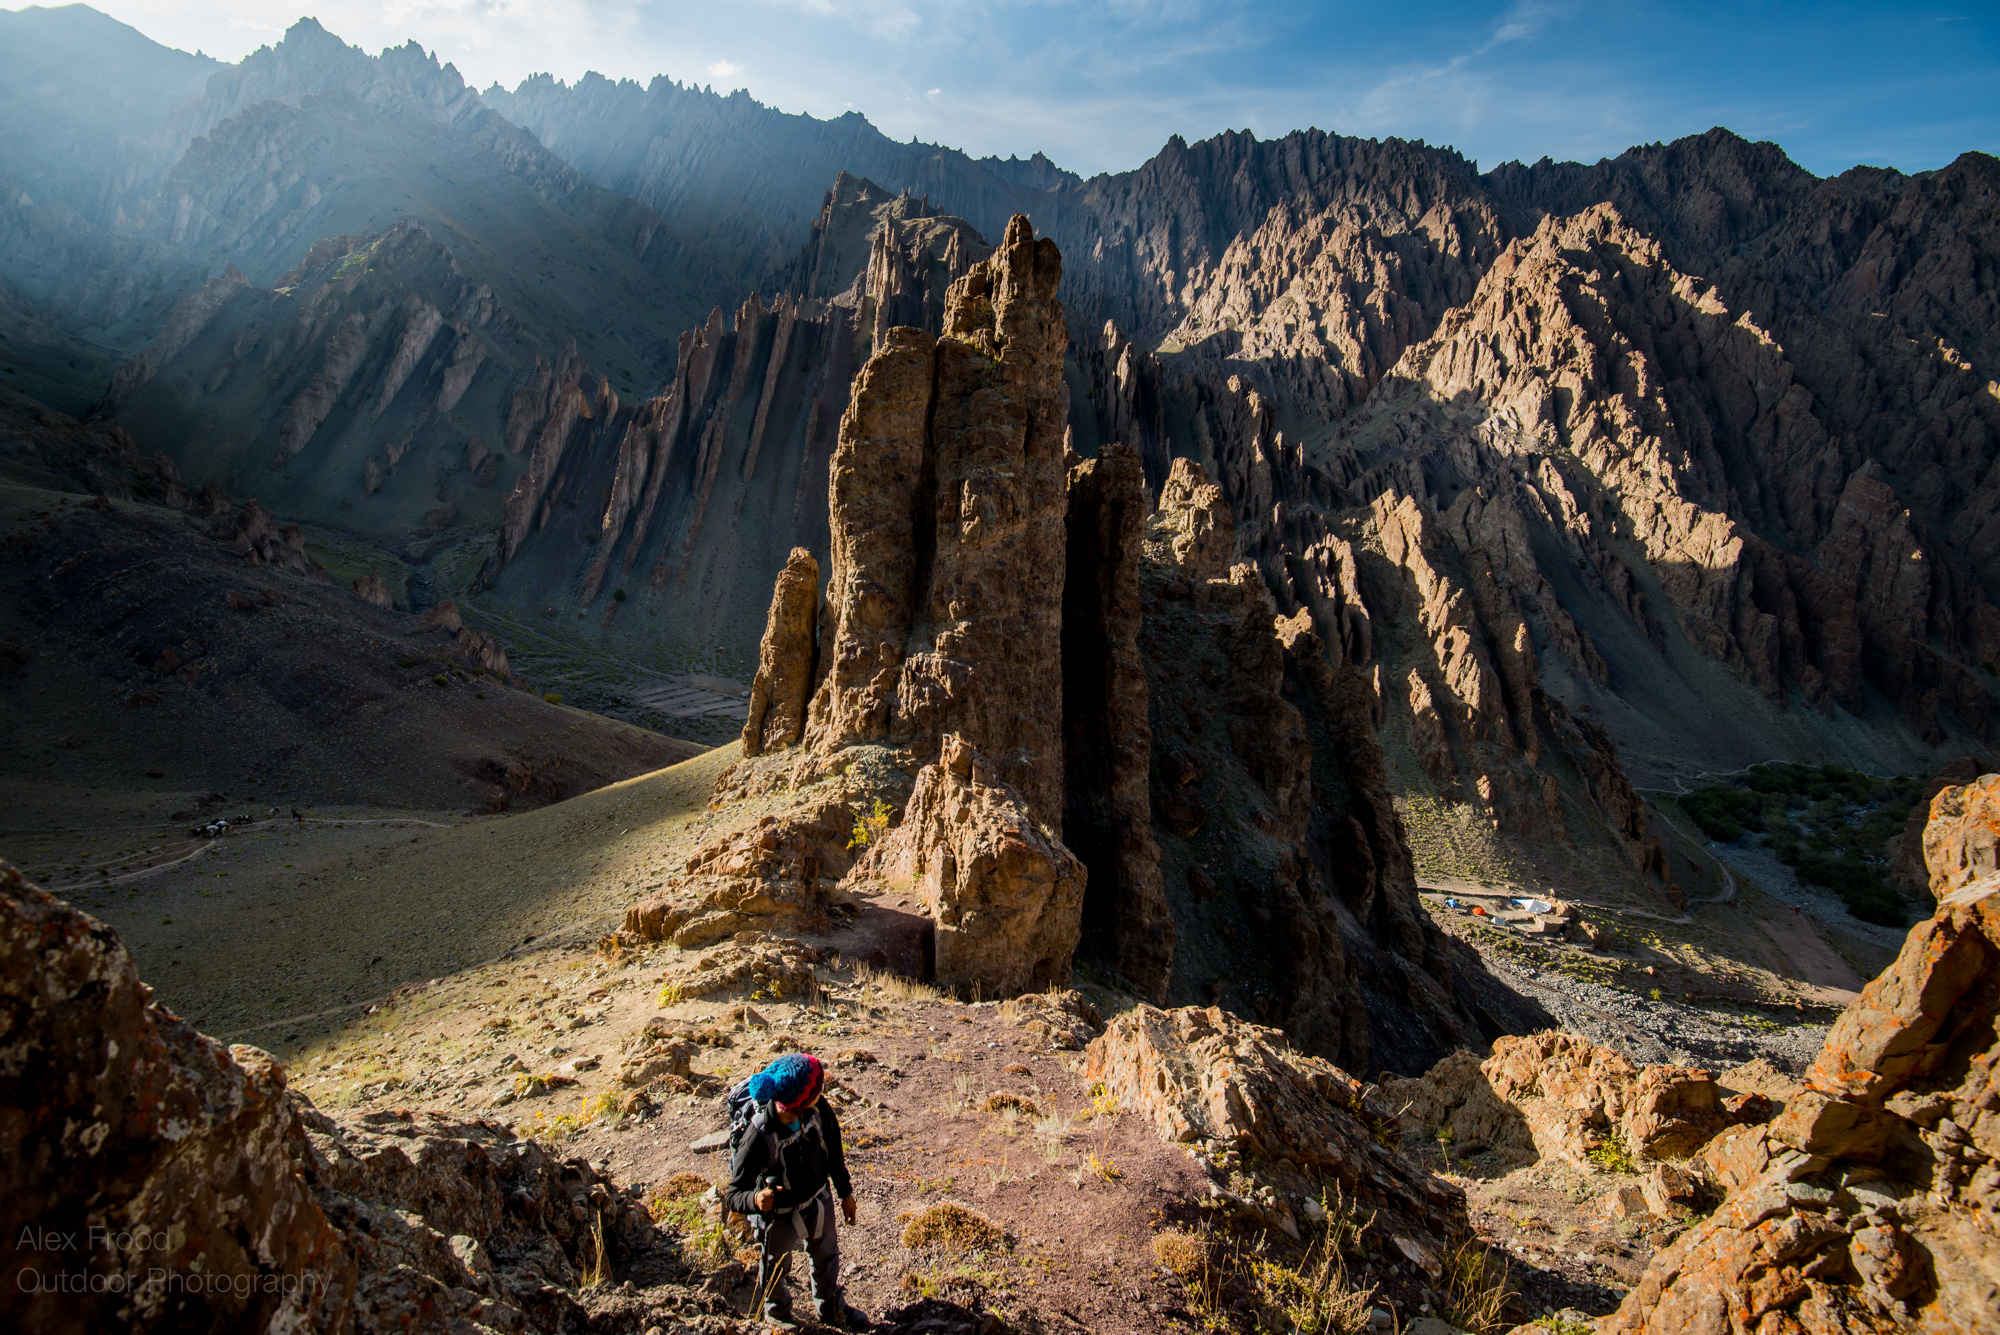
<point x="945" y="609"/>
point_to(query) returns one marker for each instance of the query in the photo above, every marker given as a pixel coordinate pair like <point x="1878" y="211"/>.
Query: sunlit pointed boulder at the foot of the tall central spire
<point x="1003" y="894"/>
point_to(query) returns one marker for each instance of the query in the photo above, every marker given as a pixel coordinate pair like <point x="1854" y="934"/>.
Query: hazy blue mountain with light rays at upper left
<point x="397" y="263"/>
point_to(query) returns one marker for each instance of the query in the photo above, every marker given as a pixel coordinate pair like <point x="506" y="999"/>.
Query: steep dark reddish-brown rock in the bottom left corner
<point x="135" y="1146"/>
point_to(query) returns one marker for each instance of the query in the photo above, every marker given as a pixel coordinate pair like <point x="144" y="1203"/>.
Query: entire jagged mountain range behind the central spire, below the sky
<point x="1663" y="465"/>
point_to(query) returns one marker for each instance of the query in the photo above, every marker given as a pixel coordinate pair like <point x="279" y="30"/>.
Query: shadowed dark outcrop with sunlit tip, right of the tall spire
<point x="1283" y="860"/>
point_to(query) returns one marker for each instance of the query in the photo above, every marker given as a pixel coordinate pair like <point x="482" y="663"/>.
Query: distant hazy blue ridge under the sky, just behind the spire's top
<point x="745" y="181"/>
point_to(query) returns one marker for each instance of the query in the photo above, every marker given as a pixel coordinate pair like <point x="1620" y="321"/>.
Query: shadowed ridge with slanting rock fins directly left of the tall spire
<point x="671" y="521"/>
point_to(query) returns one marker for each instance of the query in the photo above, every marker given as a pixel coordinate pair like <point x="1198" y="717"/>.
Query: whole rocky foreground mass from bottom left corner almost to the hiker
<point x="153" y="1180"/>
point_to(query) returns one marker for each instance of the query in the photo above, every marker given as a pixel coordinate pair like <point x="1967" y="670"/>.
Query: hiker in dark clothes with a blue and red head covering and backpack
<point x="785" y="1172"/>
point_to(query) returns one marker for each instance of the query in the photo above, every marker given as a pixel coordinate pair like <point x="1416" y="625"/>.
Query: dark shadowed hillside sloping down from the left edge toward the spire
<point x="167" y="649"/>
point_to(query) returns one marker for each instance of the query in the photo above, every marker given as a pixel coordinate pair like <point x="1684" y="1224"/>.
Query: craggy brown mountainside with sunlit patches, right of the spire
<point x="1787" y="555"/>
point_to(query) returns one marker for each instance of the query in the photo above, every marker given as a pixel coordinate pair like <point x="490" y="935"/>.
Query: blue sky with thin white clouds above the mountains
<point x="1101" y="87"/>
